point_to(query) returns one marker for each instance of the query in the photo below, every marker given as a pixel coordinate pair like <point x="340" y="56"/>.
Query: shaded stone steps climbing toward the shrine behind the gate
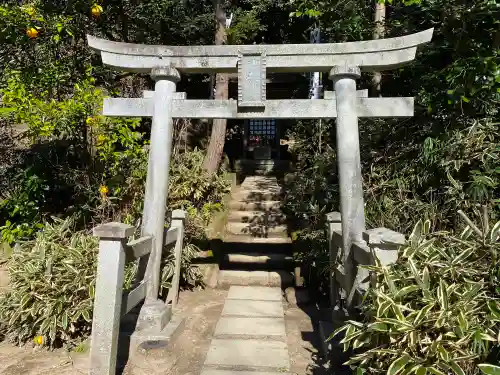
<point x="256" y="247"/>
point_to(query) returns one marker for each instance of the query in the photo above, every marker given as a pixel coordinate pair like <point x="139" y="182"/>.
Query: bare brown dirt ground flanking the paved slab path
<point x="186" y="354"/>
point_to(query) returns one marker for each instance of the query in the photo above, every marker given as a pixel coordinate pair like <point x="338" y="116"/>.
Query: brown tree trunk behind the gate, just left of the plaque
<point x="218" y="135"/>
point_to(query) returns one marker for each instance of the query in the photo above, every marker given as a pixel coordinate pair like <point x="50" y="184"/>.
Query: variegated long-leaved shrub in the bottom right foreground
<point x="436" y="311"/>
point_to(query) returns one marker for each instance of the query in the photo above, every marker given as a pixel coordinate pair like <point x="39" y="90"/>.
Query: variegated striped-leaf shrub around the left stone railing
<point x="53" y="281"/>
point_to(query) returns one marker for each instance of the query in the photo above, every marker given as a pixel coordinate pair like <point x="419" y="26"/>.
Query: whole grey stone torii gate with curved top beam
<point x="344" y="63"/>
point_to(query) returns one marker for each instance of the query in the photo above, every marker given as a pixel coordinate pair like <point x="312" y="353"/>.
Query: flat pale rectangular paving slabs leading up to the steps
<point x="250" y="336"/>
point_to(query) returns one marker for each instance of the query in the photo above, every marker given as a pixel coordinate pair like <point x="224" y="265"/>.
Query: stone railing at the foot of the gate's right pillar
<point x="349" y="281"/>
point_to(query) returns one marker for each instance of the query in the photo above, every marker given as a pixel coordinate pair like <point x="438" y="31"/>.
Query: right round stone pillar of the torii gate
<point x="349" y="165"/>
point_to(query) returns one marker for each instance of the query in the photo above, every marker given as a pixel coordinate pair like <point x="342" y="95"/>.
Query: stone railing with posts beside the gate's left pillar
<point x="110" y="303"/>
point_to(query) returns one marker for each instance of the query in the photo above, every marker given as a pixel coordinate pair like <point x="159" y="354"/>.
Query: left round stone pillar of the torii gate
<point x="155" y="200"/>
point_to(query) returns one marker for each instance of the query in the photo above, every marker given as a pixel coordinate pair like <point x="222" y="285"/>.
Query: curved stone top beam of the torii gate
<point x="381" y="54"/>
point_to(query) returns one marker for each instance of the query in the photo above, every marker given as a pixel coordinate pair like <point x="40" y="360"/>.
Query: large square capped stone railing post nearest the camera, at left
<point x="108" y="296"/>
